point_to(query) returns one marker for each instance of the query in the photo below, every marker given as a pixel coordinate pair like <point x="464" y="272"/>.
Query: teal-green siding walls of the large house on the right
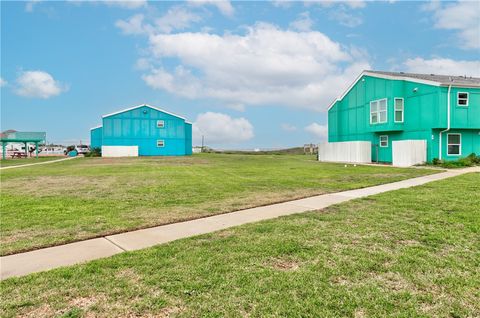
<point x="425" y="114"/>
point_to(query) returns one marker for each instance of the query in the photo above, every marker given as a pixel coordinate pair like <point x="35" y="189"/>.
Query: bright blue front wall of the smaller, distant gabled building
<point x="138" y="127"/>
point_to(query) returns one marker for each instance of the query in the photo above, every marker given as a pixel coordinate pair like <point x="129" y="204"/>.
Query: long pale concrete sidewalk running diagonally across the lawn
<point x="78" y="252"/>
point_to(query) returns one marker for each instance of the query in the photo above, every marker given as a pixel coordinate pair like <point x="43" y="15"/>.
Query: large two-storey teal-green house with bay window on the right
<point x="392" y="112"/>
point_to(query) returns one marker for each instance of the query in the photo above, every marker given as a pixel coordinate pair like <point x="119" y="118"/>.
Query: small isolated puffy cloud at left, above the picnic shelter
<point x="38" y="84"/>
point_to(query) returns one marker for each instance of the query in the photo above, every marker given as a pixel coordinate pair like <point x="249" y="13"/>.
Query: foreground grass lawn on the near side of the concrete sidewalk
<point x="409" y="253"/>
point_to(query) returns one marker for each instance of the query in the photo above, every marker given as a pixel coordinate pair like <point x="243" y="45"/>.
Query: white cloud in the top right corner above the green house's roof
<point x="461" y="16"/>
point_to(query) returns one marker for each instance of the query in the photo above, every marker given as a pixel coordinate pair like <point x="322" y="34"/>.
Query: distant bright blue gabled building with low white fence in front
<point x="142" y="130"/>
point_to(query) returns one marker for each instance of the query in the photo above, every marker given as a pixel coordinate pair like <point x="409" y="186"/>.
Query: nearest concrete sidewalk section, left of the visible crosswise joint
<point x="53" y="257"/>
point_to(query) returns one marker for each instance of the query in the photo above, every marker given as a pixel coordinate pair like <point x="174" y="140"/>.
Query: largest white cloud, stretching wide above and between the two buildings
<point x="266" y="65"/>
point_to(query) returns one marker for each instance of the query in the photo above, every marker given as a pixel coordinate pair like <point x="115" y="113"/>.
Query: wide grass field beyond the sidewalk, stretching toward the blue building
<point x="88" y="197"/>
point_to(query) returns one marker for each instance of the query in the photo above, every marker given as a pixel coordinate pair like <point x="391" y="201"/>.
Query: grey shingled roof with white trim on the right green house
<point x="429" y="79"/>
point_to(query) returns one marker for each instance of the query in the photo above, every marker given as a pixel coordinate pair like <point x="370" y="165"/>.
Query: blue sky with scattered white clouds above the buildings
<point x="247" y="74"/>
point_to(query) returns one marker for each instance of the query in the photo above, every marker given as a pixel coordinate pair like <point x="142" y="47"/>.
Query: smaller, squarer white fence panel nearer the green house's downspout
<point x="406" y="153"/>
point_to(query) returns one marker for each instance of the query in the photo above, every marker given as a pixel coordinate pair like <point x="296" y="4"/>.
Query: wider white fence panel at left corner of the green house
<point x="345" y="151"/>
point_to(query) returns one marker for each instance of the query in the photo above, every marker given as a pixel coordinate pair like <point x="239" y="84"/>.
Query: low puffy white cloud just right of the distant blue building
<point x="221" y="128"/>
